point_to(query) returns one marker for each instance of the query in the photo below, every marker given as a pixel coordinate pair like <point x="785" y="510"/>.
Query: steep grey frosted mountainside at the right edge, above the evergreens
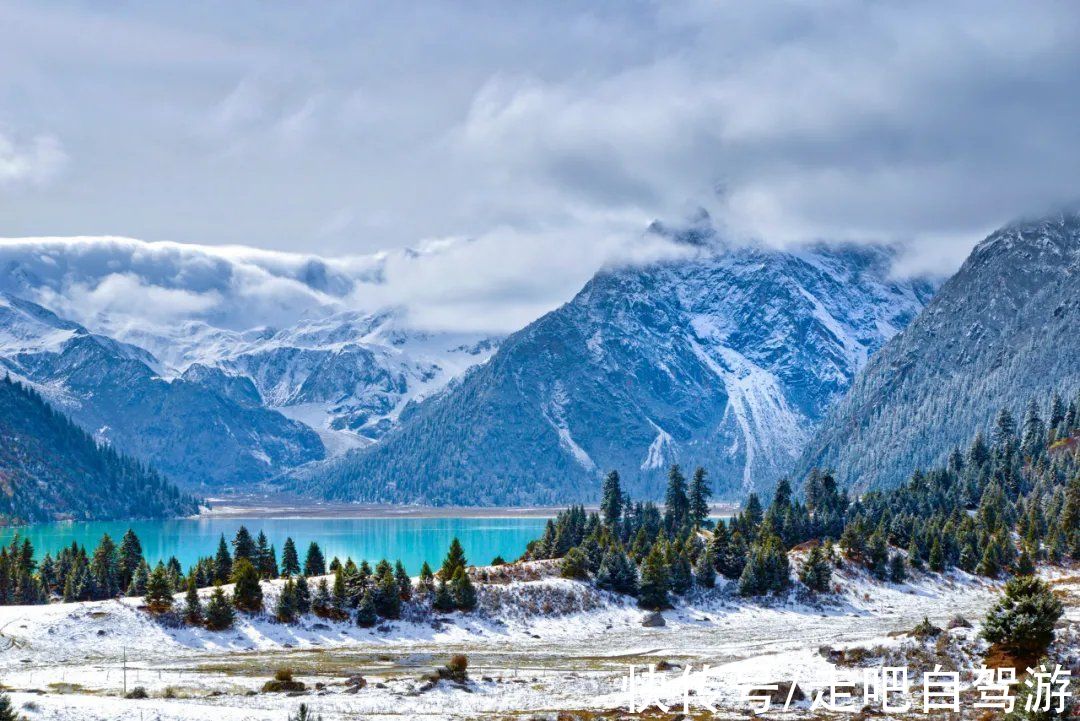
<point x="1004" y="330"/>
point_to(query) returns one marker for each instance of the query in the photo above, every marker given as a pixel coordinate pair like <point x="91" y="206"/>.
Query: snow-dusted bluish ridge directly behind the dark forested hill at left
<point x="202" y="428"/>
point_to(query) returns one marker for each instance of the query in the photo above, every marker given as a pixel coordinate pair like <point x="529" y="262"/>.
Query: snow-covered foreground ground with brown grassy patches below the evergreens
<point x="538" y="647"/>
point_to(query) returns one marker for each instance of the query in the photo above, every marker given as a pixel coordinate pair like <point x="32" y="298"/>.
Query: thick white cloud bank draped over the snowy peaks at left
<point x="125" y="287"/>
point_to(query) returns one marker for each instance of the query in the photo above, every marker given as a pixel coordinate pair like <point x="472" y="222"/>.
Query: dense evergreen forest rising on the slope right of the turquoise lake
<point x="996" y="509"/>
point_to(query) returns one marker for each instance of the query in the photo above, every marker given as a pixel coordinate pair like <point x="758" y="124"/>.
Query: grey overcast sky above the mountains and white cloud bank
<point x="549" y="132"/>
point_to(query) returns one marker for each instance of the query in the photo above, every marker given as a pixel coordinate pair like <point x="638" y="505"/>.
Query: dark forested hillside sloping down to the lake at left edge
<point x="52" y="470"/>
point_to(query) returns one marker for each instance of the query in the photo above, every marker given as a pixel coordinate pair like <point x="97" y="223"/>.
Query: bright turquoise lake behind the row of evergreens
<point x="411" y="540"/>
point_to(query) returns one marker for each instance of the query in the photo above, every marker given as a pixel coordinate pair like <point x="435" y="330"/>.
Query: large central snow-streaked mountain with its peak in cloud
<point x="726" y="360"/>
